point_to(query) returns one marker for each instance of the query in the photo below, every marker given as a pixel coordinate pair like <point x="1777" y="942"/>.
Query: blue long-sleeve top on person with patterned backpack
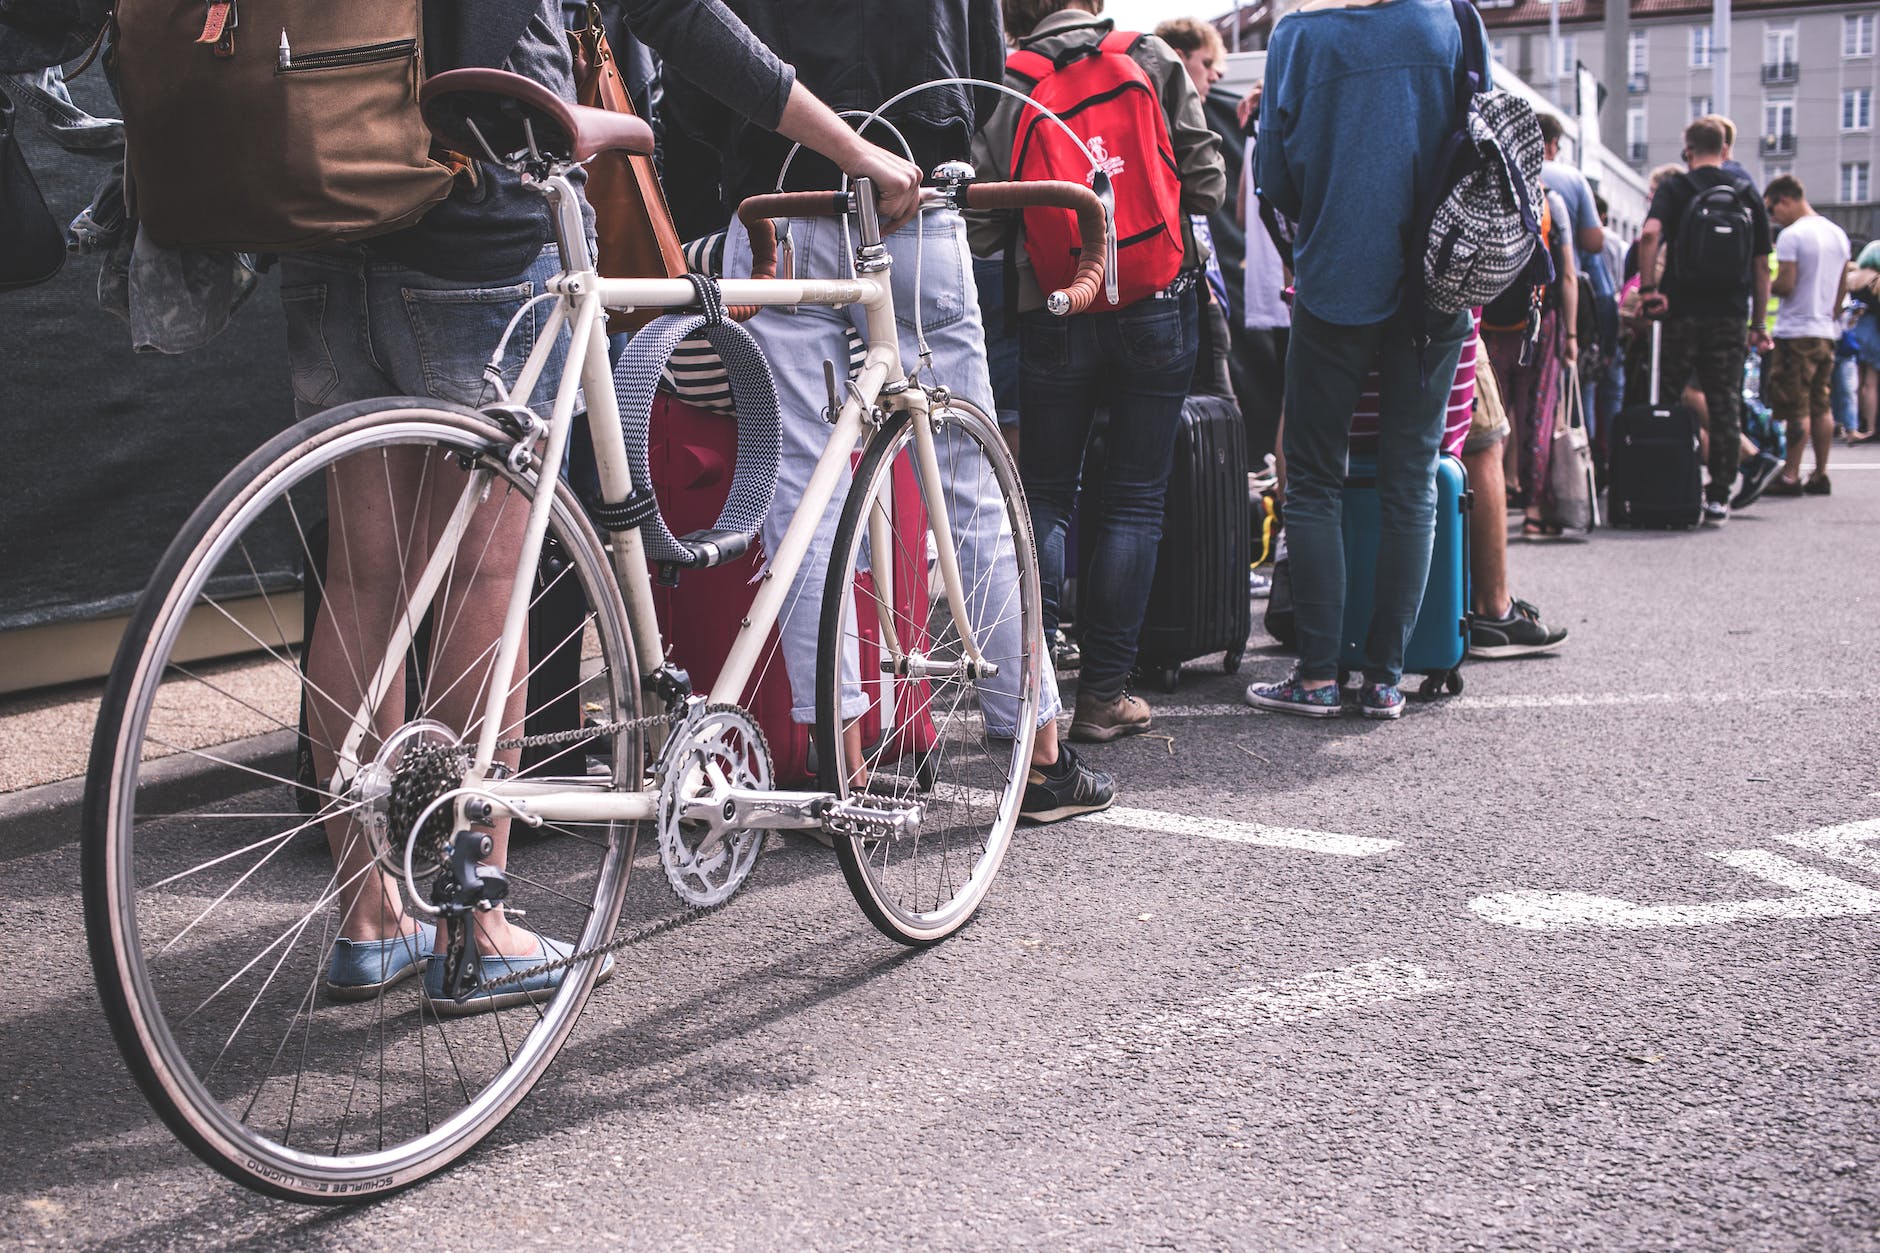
<point x="1356" y="106"/>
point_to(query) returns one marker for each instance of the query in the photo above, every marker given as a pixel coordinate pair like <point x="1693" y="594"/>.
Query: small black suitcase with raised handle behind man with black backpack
<point x="1655" y="477"/>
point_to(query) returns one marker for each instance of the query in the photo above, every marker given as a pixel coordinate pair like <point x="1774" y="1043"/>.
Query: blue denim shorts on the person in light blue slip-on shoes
<point x="362" y="328"/>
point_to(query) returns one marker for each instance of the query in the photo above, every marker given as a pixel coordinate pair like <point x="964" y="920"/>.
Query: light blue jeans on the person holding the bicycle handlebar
<point x="798" y="341"/>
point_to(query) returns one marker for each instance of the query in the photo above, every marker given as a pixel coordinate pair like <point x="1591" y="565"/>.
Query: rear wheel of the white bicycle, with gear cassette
<point x="225" y="855"/>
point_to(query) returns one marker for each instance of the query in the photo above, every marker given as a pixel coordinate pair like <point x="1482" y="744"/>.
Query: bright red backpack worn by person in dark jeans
<point x="1110" y="103"/>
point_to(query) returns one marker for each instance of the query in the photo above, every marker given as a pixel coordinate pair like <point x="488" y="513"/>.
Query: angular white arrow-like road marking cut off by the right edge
<point x="1817" y="896"/>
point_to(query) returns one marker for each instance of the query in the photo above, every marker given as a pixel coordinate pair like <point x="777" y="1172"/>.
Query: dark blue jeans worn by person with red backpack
<point x="1138" y="362"/>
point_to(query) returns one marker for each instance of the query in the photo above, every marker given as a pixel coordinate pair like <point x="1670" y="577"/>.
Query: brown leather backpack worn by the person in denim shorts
<point x="275" y="127"/>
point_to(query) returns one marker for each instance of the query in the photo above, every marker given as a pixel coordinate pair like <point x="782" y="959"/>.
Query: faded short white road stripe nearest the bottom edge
<point x="1291" y="1000"/>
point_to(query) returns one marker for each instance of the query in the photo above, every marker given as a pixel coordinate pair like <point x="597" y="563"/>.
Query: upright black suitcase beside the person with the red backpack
<point x="1198" y="603"/>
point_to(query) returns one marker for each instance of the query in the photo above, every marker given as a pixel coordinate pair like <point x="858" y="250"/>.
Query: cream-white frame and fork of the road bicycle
<point x="582" y="304"/>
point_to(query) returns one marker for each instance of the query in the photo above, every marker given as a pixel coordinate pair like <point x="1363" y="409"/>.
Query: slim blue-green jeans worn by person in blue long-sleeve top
<point x="1326" y="370"/>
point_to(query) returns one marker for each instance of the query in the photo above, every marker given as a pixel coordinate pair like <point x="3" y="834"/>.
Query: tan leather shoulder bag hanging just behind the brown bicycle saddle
<point x="631" y="217"/>
